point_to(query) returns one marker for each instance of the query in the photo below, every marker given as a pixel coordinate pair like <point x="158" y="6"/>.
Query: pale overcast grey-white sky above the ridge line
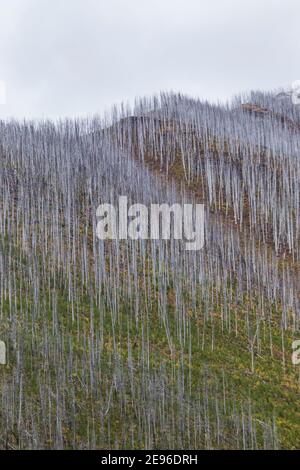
<point x="63" y="58"/>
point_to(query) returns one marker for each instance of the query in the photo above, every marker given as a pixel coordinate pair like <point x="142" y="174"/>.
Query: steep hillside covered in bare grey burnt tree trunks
<point x="140" y="343"/>
